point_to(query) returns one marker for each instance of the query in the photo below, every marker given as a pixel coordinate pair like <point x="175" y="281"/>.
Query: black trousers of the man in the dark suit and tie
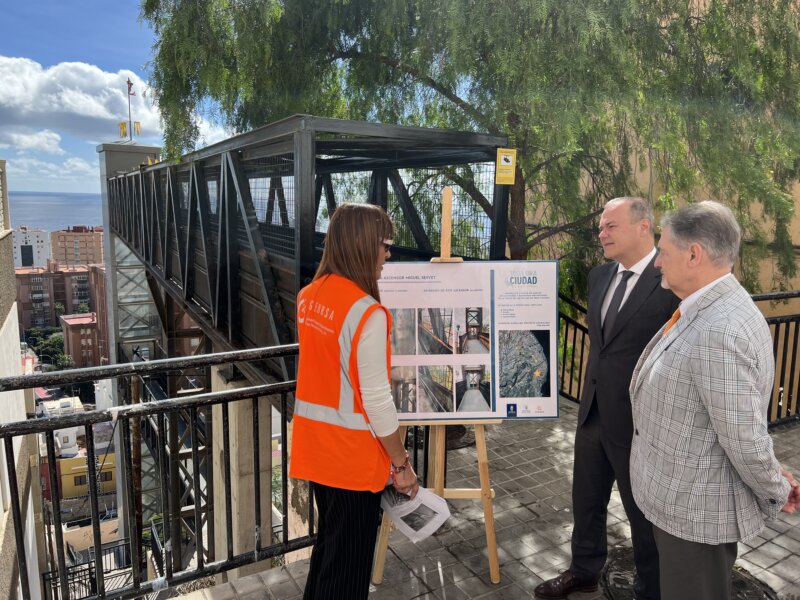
<point x="598" y="463"/>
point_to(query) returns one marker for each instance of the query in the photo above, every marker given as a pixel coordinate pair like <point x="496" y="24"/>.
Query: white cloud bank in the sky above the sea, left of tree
<point x="65" y="111"/>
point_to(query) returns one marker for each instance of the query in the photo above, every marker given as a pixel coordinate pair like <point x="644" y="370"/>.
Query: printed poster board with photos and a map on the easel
<point x="473" y="340"/>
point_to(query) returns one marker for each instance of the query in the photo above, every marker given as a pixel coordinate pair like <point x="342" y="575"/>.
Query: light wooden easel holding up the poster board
<point x="437" y="441"/>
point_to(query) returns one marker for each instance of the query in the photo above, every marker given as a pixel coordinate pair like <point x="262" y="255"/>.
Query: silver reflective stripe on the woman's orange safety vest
<point x="345" y="416"/>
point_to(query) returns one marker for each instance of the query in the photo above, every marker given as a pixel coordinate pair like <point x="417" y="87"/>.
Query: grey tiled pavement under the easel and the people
<point x="531" y="472"/>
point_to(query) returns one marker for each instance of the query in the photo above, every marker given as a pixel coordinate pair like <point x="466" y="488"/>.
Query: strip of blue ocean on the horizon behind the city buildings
<point x="52" y="211"/>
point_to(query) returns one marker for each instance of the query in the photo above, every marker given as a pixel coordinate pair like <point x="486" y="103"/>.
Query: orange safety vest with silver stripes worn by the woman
<point x="332" y="442"/>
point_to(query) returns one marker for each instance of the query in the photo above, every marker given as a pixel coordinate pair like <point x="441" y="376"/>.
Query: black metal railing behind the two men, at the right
<point x="784" y="407"/>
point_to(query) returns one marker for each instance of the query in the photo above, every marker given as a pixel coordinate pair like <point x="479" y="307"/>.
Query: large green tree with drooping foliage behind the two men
<point x="695" y="98"/>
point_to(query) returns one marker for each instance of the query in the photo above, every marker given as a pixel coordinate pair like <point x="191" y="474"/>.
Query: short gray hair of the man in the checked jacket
<point x="710" y="224"/>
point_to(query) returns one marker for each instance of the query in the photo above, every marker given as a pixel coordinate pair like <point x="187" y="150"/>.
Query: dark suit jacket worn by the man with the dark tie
<point x="611" y="361"/>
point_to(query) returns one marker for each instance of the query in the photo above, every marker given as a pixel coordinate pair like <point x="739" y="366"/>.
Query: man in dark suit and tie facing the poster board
<point x="627" y="306"/>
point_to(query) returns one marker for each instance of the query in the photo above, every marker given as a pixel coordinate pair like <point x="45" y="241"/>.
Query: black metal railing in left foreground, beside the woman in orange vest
<point x="97" y="580"/>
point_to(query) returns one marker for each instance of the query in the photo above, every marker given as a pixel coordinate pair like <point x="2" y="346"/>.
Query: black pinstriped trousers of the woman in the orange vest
<point x="341" y="561"/>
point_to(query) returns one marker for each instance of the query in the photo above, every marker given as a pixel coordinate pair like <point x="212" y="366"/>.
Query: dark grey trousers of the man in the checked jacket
<point x="694" y="570"/>
